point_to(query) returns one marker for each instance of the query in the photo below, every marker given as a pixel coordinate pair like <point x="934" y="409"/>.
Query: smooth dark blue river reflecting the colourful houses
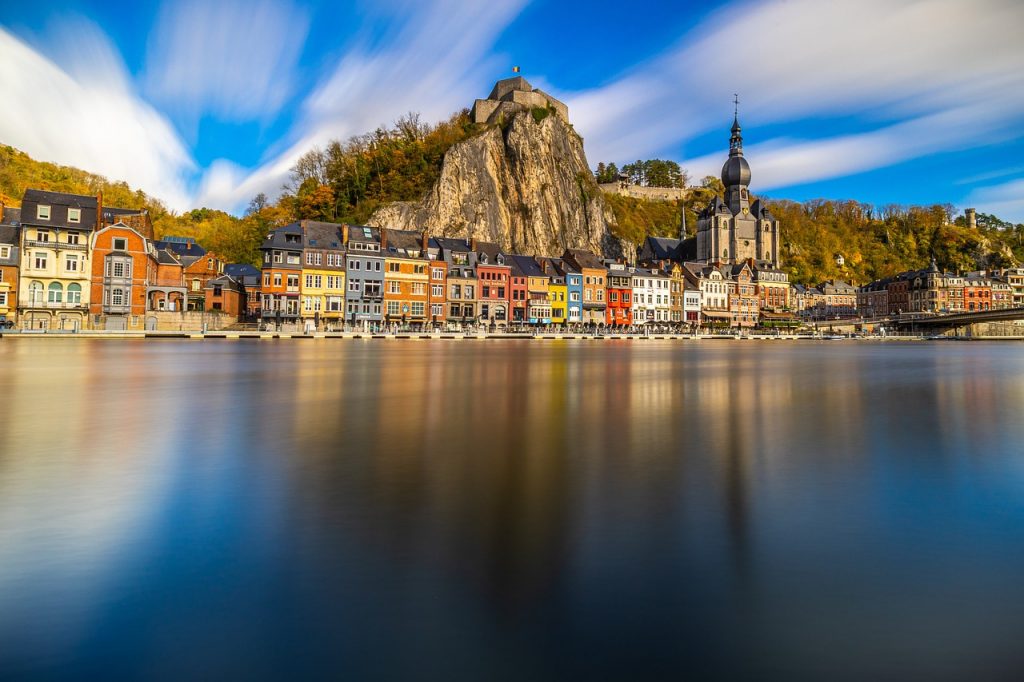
<point x="511" y="510"/>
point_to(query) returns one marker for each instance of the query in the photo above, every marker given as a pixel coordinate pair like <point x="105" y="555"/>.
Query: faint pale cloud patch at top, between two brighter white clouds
<point x="233" y="59"/>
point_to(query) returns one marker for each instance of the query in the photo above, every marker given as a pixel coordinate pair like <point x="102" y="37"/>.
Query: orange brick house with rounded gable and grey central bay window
<point x="121" y="270"/>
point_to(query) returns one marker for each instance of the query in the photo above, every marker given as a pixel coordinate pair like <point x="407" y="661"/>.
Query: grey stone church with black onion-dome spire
<point x="735" y="230"/>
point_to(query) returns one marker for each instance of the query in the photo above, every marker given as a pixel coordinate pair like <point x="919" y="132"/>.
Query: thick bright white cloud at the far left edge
<point x="88" y="115"/>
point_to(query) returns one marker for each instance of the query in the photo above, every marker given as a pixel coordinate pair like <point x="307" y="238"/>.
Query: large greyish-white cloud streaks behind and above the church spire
<point x="934" y="75"/>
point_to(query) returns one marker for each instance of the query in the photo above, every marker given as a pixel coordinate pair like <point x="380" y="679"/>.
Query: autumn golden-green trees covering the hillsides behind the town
<point x="348" y="182"/>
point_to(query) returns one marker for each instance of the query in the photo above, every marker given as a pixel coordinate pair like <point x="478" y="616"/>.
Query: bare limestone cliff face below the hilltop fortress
<point x="527" y="188"/>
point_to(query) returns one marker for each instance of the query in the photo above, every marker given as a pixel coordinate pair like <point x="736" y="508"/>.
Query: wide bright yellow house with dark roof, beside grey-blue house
<point x="322" y="290"/>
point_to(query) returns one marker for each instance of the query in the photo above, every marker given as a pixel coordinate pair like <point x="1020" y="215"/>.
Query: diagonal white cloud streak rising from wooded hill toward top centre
<point x="432" y="60"/>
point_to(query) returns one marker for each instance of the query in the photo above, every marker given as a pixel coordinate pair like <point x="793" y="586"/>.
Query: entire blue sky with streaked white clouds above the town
<point x="206" y="104"/>
